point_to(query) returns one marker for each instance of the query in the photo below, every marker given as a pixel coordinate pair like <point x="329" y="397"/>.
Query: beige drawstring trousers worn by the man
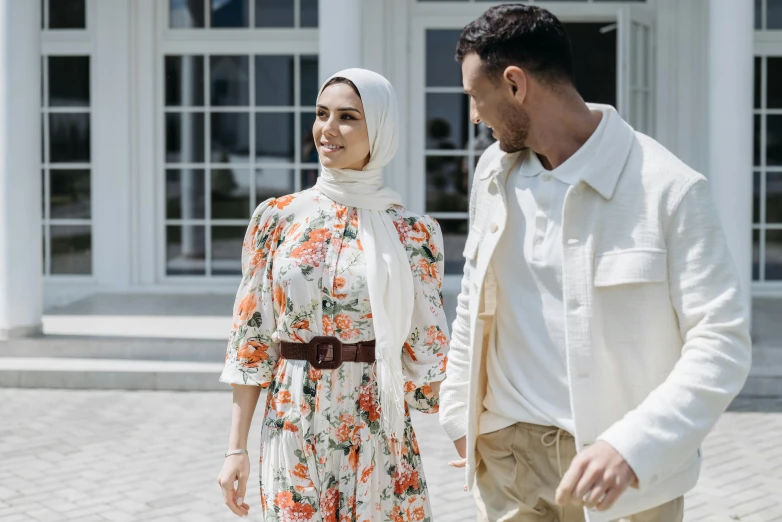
<point x="519" y="474"/>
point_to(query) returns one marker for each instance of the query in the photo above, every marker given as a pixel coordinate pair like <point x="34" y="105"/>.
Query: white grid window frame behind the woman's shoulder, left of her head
<point x="208" y="42"/>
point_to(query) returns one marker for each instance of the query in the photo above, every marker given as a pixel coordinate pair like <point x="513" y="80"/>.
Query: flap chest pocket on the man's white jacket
<point x="637" y="265"/>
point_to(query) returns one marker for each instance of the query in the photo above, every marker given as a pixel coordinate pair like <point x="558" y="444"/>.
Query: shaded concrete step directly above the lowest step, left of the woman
<point x="88" y="347"/>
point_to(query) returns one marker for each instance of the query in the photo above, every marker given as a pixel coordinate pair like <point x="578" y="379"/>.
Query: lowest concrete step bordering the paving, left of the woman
<point x="80" y="373"/>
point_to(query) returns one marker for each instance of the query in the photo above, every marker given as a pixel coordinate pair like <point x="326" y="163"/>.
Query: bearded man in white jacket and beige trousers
<point x="600" y="329"/>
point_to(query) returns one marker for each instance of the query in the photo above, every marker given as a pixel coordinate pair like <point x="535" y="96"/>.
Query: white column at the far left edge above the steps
<point x="21" y="280"/>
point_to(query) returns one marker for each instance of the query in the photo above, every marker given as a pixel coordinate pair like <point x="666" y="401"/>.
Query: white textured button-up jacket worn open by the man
<point x="657" y="332"/>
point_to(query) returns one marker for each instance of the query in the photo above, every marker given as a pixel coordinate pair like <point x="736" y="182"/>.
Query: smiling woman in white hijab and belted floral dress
<point x="339" y="315"/>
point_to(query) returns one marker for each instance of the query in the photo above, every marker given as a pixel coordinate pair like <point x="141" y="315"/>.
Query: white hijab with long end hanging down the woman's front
<point x="389" y="278"/>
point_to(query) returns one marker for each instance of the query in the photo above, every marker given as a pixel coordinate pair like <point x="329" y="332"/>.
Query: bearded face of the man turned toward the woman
<point x="492" y="101"/>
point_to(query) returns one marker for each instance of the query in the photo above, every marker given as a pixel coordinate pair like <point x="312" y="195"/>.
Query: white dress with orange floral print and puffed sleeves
<point x="324" y="456"/>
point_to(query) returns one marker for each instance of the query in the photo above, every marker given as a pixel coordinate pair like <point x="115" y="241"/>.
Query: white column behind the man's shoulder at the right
<point x="730" y="130"/>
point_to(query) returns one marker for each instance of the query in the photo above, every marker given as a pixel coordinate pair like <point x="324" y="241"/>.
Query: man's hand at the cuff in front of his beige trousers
<point x="596" y="478"/>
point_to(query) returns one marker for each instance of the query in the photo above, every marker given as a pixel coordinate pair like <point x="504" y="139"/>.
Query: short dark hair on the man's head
<point x="525" y="36"/>
